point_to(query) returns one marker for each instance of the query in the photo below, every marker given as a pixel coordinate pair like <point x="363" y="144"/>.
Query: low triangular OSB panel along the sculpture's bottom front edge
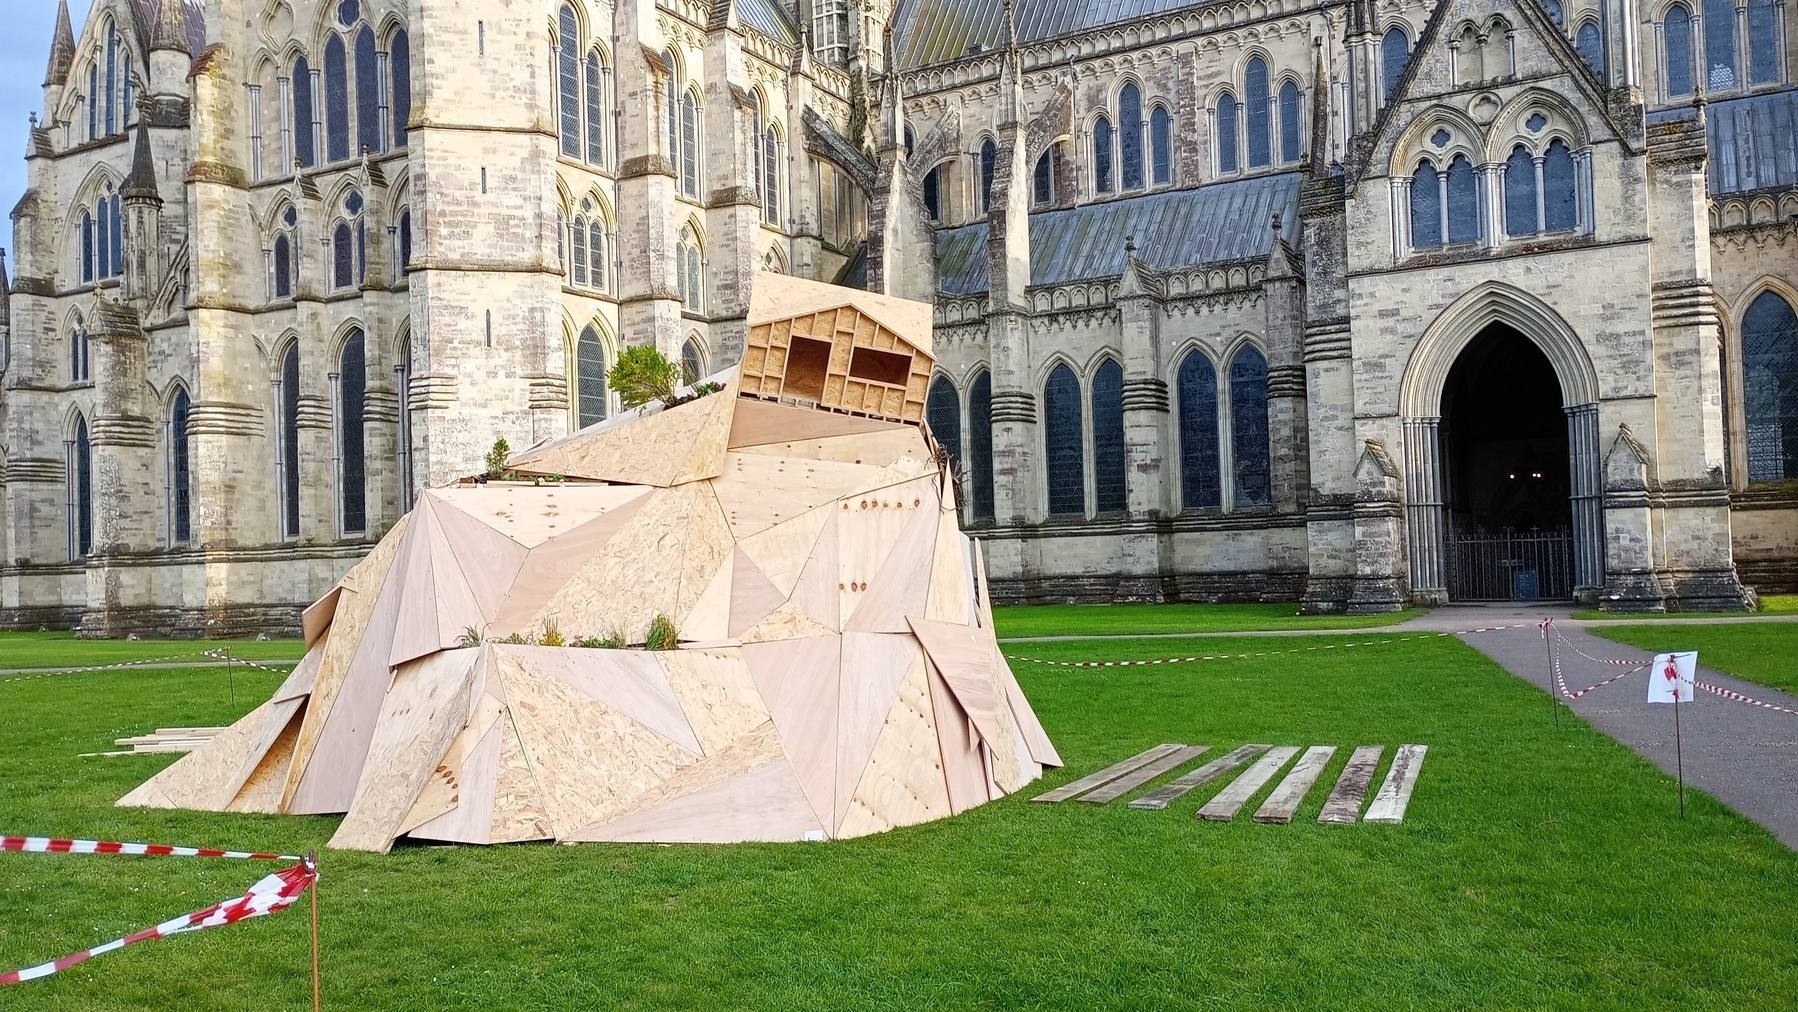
<point x="763" y="806"/>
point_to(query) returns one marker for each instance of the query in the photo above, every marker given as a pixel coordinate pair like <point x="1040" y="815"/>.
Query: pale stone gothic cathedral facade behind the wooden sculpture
<point x="1355" y="305"/>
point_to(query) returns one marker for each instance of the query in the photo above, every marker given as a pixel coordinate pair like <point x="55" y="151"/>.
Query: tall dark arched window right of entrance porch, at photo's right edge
<point x="1770" y="386"/>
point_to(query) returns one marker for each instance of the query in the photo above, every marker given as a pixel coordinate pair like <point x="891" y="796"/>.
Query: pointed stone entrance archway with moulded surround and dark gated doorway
<point x="1502" y="454"/>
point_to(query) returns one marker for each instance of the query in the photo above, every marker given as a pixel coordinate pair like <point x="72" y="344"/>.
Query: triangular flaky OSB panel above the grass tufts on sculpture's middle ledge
<point x="637" y="576"/>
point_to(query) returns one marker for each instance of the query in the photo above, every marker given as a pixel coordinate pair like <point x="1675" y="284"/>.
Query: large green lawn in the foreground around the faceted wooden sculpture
<point x="1538" y="869"/>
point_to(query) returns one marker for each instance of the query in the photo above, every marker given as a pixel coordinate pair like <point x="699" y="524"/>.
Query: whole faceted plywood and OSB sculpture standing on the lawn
<point x="837" y="673"/>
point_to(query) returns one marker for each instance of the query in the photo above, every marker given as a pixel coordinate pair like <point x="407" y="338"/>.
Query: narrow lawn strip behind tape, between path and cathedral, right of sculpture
<point x="1139" y="619"/>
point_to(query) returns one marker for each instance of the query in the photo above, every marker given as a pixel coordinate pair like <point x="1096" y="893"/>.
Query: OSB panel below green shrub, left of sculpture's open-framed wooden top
<point x="652" y="450"/>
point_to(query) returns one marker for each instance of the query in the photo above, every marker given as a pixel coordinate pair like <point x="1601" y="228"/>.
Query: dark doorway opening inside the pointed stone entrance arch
<point x="1506" y="472"/>
